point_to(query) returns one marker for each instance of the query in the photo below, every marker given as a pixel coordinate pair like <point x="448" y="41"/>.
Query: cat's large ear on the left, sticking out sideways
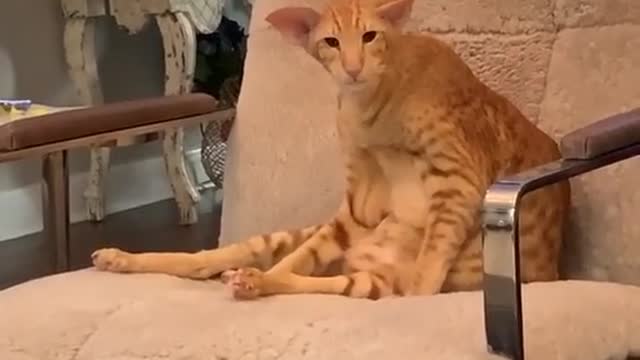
<point x="294" y="23"/>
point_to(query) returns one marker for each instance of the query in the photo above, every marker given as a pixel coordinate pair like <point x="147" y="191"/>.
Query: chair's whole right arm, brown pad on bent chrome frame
<point x="595" y="146"/>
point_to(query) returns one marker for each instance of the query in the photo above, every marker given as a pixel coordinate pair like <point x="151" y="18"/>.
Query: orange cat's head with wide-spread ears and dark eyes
<point x="349" y="38"/>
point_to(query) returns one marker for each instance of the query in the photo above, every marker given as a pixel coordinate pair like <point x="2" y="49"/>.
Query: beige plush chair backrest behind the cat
<point x="564" y="63"/>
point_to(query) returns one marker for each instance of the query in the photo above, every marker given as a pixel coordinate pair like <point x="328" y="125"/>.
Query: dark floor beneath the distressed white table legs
<point x="148" y="228"/>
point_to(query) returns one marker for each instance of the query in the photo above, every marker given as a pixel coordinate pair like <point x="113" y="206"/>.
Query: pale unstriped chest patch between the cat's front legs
<point x="404" y="174"/>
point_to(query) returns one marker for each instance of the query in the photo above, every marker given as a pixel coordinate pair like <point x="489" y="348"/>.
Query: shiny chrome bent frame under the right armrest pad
<point x="501" y="249"/>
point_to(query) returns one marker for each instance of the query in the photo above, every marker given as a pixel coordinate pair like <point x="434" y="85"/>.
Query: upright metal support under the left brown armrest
<point x="55" y="207"/>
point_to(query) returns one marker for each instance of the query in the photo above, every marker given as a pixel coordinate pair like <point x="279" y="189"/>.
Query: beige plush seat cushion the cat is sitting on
<point x="95" y="315"/>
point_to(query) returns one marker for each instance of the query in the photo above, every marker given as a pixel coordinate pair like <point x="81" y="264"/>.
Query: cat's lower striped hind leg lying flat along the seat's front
<point x="250" y="283"/>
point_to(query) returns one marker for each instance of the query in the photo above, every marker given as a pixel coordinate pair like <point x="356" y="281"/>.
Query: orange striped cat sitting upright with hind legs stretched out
<point x="423" y="139"/>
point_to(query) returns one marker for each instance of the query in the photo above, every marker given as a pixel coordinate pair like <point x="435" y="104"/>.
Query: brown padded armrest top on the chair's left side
<point x="73" y="124"/>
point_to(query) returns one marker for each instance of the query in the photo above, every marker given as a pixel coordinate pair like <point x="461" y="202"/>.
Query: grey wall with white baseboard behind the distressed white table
<point x="32" y="66"/>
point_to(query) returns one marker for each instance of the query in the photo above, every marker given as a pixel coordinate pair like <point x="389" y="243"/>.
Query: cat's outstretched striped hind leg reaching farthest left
<point x="258" y="251"/>
